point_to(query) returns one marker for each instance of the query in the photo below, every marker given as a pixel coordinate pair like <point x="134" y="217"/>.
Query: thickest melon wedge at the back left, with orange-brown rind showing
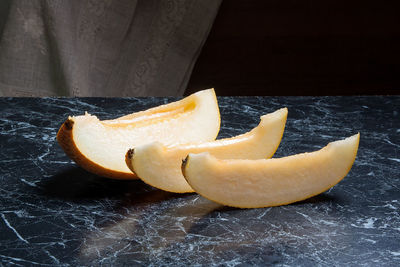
<point x="100" y="146"/>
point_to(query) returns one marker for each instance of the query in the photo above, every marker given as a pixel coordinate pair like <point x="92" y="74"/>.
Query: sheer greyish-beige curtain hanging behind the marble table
<point x="101" y="47"/>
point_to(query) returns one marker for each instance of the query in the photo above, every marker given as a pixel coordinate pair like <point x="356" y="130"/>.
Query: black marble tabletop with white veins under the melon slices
<point x="54" y="213"/>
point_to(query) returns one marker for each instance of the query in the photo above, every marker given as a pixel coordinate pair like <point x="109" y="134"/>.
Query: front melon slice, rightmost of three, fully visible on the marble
<point x="270" y="182"/>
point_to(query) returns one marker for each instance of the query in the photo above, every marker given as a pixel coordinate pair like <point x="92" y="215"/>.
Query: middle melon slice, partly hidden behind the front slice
<point x="160" y="165"/>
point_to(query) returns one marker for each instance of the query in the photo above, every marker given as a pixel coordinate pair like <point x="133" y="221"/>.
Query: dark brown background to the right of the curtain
<point x="301" y="47"/>
